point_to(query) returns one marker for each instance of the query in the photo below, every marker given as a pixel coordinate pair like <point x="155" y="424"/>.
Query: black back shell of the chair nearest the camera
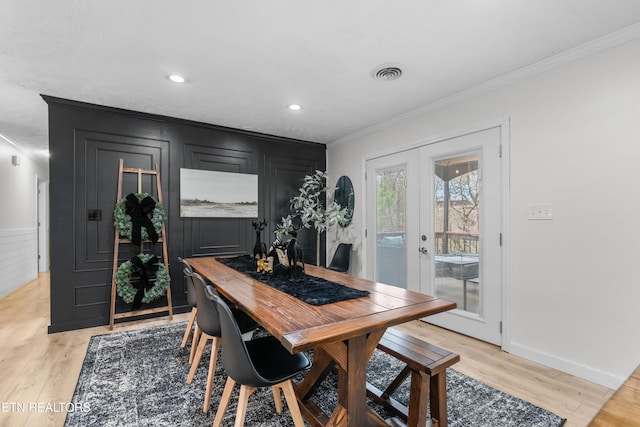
<point x="235" y="356"/>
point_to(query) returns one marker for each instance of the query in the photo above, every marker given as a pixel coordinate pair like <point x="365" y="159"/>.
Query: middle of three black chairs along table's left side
<point x="208" y="322"/>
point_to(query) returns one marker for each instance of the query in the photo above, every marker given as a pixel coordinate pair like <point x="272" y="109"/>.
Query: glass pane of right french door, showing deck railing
<point x="457" y="256"/>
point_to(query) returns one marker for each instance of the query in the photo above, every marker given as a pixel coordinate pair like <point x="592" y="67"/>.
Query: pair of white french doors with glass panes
<point x="434" y="225"/>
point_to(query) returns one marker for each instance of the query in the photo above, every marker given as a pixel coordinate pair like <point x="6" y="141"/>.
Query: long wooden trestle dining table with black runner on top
<point x="342" y="334"/>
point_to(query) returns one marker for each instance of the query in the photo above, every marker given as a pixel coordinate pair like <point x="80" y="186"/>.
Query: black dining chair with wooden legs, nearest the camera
<point x="261" y="362"/>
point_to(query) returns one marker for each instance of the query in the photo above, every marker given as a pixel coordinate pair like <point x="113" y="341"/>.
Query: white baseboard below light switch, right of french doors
<point x="582" y="371"/>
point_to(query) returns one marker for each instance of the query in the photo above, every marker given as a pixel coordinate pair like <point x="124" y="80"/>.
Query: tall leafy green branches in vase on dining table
<point x="314" y="207"/>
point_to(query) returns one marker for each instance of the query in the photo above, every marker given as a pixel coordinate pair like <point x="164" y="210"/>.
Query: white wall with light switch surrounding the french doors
<point x="573" y="294"/>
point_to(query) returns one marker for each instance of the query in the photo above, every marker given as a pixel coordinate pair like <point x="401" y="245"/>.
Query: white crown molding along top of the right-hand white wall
<point x="592" y="47"/>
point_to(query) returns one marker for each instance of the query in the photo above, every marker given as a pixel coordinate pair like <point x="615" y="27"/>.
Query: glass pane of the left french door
<point x="390" y="226"/>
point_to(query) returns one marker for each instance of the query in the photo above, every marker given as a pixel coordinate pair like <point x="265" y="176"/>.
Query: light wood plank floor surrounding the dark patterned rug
<point x="37" y="368"/>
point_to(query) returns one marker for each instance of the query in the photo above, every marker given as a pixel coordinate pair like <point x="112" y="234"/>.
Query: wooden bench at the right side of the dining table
<point x="427" y="365"/>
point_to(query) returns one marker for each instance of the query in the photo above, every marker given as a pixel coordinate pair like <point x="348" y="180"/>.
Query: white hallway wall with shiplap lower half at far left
<point x="18" y="218"/>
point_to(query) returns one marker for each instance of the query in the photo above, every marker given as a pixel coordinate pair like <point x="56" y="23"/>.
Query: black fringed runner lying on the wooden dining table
<point x="310" y="289"/>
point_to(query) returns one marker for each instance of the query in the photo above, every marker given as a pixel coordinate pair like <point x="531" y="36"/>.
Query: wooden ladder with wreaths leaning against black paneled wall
<point x="118" y="240"/>
